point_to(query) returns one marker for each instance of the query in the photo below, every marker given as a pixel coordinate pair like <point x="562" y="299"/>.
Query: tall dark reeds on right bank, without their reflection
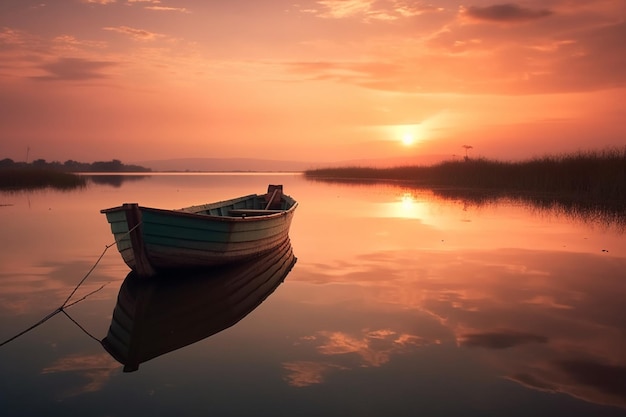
<point x="593" y="175"/>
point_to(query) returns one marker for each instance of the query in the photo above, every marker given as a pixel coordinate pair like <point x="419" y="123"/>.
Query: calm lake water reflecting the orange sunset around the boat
<point x="401" y="303"/>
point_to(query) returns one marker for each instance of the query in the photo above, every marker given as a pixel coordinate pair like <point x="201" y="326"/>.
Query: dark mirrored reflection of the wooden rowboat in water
<point x="167" y="312"/>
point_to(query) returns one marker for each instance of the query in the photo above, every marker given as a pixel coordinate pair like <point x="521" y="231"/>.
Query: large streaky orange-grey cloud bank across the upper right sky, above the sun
<point x="541" y="57"/>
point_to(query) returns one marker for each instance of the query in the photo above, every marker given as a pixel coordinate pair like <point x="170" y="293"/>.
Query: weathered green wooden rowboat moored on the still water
<point x="152" y="240"/>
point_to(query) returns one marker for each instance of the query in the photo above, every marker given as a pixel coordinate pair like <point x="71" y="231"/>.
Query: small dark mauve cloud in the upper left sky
<point x="74" y="69"/>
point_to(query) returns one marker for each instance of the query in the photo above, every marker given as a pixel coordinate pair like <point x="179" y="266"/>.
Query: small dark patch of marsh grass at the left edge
<point x="14" y="179"/>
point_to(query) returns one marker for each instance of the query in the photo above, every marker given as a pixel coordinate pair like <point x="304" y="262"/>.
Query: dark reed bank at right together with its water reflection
<point x="587" y="186"/>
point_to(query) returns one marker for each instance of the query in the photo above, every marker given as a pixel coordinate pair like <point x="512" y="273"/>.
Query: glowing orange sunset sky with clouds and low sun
<point x="327" y="80"/>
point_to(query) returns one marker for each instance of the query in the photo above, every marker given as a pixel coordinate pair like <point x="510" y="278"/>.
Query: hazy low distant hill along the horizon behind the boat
<point x="267" y="165"/>
